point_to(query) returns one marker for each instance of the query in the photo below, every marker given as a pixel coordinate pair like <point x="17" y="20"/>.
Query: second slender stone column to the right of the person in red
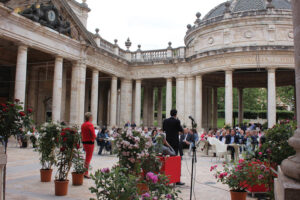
<point x="113" y="101"/>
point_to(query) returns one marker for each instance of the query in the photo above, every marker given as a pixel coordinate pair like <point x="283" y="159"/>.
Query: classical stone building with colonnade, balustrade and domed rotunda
<point x="50" y="61"/>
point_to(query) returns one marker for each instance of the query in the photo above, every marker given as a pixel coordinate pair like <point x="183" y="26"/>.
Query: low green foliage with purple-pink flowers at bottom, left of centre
<point x="117" y="184"/>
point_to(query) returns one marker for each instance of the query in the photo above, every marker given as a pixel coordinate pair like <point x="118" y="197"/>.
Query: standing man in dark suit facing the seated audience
<point x="172" y="127"/>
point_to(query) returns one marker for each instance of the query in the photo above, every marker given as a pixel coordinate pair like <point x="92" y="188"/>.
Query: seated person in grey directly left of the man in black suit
<point x="162" y="146"/>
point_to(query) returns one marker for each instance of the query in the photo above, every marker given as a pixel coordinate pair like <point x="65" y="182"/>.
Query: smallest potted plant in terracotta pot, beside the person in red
<point x="79" y="168"/>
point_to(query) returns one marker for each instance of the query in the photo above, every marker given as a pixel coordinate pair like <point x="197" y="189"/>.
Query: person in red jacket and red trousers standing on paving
<point x="88" y="137"/>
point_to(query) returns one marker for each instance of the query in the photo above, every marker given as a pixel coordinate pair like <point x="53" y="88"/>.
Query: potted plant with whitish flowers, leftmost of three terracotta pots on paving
<point x="47" y="142"/>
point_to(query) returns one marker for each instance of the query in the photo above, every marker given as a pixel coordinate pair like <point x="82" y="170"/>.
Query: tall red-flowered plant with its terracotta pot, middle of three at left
<point x="68" y="141"/>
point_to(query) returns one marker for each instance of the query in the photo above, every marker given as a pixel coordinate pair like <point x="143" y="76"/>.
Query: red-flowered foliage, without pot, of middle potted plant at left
<point x="69" y="140"/>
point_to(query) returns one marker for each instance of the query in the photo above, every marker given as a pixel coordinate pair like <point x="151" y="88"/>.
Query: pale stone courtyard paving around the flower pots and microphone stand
<point x="23" y="179"/>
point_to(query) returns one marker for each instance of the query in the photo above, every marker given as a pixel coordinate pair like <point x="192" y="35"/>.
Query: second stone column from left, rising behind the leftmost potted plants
<point x="57" y="89"/>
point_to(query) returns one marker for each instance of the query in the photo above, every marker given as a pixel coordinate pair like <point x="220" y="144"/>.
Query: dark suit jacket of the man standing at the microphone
<point x="172" y="127"/>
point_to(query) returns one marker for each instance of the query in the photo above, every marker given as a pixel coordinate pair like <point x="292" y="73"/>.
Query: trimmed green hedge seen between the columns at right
<point x="254" y="114"/>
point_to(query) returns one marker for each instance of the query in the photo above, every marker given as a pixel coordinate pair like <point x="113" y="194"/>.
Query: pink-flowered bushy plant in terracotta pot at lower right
<point x="239" y="177"/>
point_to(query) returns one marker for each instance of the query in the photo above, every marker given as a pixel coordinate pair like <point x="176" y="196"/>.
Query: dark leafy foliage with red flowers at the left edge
<point x="14" y="120"/>
